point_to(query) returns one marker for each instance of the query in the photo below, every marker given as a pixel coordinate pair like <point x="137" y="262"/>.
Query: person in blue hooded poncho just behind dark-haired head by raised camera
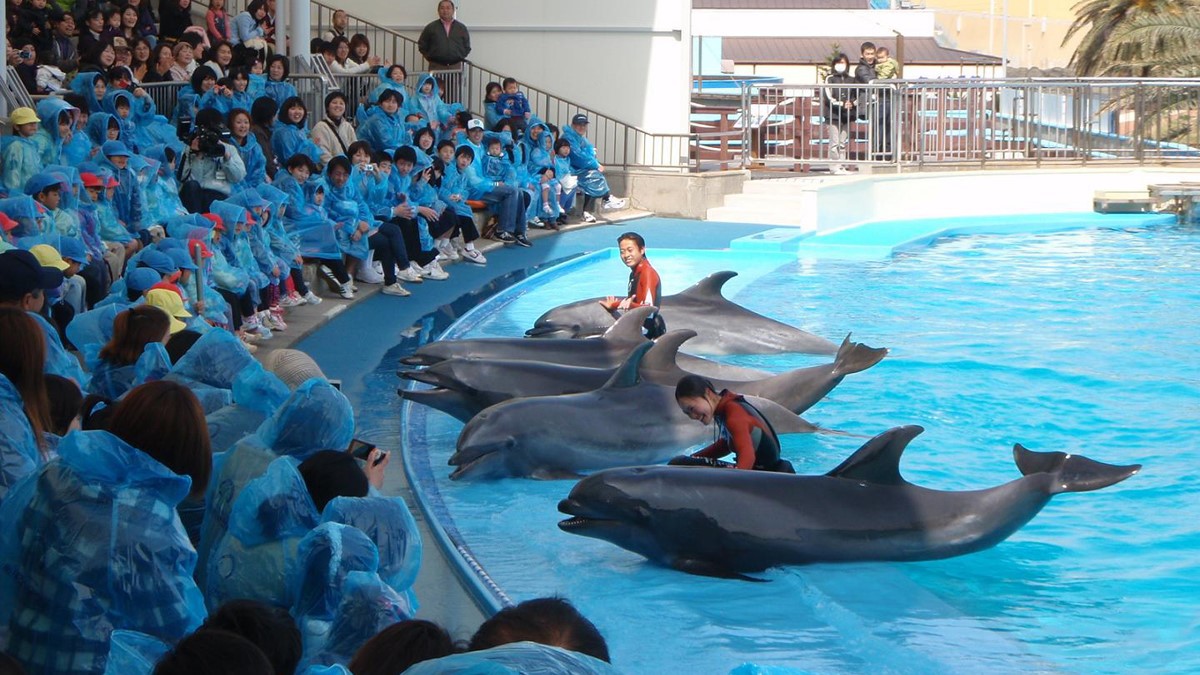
<point x="315" y="417"/>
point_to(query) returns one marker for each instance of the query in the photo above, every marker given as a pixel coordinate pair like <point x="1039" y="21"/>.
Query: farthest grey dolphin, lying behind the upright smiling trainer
<point x="722" y="327"/>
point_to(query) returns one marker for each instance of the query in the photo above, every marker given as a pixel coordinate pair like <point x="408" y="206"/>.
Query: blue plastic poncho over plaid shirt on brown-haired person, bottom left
<point x="105" y="512"/>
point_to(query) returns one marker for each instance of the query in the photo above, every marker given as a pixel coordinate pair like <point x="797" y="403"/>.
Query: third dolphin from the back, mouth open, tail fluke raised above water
<point x="473" y="385"/>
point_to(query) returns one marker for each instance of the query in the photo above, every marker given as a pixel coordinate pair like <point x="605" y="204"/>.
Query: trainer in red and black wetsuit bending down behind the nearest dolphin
<point x="741" y="429"/>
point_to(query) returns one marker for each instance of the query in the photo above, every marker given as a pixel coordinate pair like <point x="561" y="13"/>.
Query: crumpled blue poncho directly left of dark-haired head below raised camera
<point x="267" y="523"/>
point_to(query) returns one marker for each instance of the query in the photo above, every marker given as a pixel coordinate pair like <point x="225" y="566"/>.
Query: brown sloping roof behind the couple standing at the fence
<point x="811" y="51"/>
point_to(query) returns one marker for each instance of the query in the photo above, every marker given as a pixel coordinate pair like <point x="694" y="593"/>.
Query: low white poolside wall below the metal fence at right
<point x="976" y="194"/>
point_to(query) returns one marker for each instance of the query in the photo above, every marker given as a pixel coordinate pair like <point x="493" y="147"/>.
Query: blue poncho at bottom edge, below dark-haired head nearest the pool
<point x="517" y="659"/>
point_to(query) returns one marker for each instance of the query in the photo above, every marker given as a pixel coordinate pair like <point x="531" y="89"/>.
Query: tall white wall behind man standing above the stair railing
<point x="627" y="59"/>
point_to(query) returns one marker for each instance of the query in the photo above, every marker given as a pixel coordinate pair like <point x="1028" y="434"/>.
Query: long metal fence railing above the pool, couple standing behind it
<point x="925" y="124"/>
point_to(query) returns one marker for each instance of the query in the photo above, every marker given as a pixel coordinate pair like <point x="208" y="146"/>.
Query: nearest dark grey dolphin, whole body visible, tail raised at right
<point x="725" y="523"/>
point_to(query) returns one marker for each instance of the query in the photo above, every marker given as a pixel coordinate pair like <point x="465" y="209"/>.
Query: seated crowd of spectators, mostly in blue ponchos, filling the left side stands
<point x="153" y="475"/>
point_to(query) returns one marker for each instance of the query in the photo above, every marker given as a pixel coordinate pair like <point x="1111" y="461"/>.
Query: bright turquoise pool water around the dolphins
<point x="1078" y="342"/>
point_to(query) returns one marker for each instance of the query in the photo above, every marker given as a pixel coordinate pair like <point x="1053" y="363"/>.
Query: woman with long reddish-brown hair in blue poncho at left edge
<point x="25" y="404"/>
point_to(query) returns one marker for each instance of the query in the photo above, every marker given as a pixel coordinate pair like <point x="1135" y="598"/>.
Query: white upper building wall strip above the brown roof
<point x="812" y="23"/>
